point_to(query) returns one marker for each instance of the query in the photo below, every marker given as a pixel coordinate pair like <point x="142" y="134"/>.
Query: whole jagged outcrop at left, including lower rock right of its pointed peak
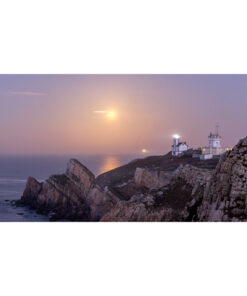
<point x="73" y="195"/>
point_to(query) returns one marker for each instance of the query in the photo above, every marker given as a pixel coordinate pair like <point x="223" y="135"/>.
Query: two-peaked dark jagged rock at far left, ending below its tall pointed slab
<point x="65" y="194"/>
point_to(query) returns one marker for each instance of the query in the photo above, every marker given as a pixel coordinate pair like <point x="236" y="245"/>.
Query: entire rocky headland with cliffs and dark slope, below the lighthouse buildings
<point x="157" y="188"/>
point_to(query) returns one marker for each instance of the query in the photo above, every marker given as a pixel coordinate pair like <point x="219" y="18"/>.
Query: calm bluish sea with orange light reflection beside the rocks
<point x="14" y="171"/>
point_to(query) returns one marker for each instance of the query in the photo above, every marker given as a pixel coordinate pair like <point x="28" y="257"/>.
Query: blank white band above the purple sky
<point x="130" y="36"/>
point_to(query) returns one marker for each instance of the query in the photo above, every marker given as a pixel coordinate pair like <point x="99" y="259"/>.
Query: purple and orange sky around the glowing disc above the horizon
<point x="55" y="114"/>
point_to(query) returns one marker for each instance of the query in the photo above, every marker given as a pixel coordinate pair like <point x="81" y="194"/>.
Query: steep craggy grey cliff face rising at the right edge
<point x="225" y="198"/>
